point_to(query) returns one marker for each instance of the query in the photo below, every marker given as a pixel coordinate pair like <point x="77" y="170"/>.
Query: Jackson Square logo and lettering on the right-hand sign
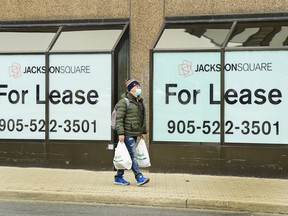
<point x="185" y="68"/>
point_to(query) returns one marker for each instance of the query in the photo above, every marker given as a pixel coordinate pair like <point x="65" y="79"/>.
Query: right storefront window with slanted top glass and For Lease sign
<point x="232" y="94"/>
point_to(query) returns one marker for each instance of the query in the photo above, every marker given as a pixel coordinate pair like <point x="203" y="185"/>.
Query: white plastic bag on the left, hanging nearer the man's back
<point x="122" y="159"/>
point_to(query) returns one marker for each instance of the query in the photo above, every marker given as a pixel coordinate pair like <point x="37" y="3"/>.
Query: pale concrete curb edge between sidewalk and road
<point x="171" y="202"/>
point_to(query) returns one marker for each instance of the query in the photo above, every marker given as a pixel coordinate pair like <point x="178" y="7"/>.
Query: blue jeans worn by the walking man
<point x="130" y="143"/>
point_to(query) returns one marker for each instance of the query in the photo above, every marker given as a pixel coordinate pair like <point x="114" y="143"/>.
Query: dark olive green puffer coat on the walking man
<point x="131" y="121"/>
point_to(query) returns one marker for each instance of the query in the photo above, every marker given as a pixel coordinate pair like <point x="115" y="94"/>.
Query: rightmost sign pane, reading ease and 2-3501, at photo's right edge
<point x="256" y="97"/>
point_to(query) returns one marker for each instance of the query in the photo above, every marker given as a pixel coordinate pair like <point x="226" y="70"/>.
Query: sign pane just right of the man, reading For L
<point x="186" y="97"/>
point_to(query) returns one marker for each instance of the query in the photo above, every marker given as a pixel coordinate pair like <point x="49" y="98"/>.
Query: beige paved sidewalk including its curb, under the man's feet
<point x="165" y="190"/>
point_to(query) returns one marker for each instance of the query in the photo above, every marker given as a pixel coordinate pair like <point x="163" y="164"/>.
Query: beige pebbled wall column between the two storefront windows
<point x="147" y="18"/>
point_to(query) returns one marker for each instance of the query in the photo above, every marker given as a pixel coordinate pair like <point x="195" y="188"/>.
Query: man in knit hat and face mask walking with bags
<point x="131" y="124"/>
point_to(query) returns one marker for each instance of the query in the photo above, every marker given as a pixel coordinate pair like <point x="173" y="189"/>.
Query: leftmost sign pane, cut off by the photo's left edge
<point x="21" y="116"/>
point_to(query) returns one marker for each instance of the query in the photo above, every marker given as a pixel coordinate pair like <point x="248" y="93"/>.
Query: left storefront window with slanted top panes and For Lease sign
<point x="56" y="82"/>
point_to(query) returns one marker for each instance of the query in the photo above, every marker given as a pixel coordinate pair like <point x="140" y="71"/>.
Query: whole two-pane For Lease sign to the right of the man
<point x="186" y="97"/>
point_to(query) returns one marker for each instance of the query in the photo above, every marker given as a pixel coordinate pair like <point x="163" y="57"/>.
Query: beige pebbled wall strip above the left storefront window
<point x="63" y="9"/>
